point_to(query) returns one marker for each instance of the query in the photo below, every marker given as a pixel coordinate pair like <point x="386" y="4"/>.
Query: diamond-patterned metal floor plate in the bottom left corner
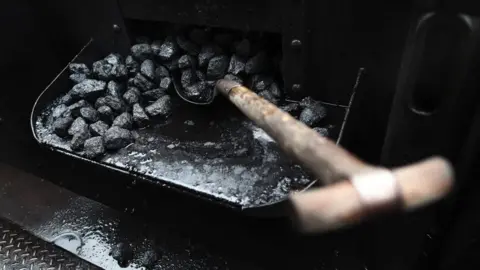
<point x="20" y="250"/>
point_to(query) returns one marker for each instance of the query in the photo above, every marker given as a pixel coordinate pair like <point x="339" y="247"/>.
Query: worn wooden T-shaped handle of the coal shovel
<point x="355" y="190"/>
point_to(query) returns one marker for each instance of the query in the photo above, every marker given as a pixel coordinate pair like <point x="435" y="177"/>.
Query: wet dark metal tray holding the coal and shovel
<point x="212" y="152"/>
